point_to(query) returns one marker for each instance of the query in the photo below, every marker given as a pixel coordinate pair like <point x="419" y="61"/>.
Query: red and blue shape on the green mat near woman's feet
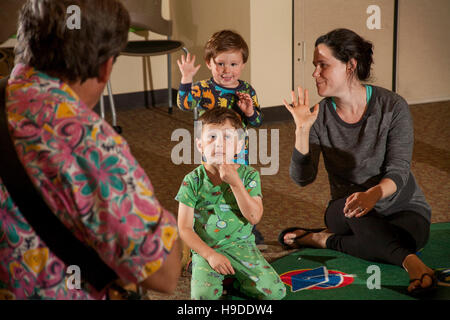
<point x="316" y="279"/>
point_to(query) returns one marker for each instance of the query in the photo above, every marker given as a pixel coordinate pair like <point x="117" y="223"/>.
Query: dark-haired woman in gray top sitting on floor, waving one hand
<point x="365" y="133"/>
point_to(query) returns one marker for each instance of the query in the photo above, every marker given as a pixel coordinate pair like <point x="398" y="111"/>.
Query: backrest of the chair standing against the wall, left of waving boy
<point x="146" y="14"/>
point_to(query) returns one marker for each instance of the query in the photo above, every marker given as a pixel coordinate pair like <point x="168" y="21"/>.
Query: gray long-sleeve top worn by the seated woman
<point x="357" y="156"/>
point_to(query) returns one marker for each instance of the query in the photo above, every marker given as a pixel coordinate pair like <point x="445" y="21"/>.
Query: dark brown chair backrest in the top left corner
<point x="9" y="14"/>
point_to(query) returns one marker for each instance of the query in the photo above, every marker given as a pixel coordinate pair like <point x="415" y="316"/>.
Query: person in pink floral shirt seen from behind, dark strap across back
<point x="82" y="167"/>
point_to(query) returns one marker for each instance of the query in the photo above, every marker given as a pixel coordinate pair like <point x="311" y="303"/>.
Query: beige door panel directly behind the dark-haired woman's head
<point x="373" y="20"/>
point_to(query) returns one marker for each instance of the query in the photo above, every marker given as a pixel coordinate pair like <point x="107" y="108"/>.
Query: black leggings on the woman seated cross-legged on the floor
<point x="374" y="237"/>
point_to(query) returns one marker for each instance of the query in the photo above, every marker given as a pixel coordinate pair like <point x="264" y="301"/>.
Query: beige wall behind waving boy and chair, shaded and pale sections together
<point x="266" y="25"/>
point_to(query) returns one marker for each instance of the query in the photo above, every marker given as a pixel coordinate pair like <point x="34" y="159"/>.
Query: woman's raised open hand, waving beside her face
<point x="299" y="108"/>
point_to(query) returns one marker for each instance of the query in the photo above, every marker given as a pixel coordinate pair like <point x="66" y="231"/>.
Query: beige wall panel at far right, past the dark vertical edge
<point x="424" y="50"/>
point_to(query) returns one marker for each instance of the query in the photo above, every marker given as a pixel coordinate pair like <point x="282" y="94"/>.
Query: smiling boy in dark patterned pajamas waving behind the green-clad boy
<point x="226" y="54"/>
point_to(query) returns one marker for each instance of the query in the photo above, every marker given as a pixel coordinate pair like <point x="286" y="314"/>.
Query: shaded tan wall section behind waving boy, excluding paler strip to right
<point x="194" y="21"/>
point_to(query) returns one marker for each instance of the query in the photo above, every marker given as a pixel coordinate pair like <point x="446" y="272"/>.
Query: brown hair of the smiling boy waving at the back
<point x="225" y="40"/>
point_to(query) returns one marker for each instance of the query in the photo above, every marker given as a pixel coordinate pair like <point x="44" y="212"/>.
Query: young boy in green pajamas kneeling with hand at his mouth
<point x="219" y="202"/>
